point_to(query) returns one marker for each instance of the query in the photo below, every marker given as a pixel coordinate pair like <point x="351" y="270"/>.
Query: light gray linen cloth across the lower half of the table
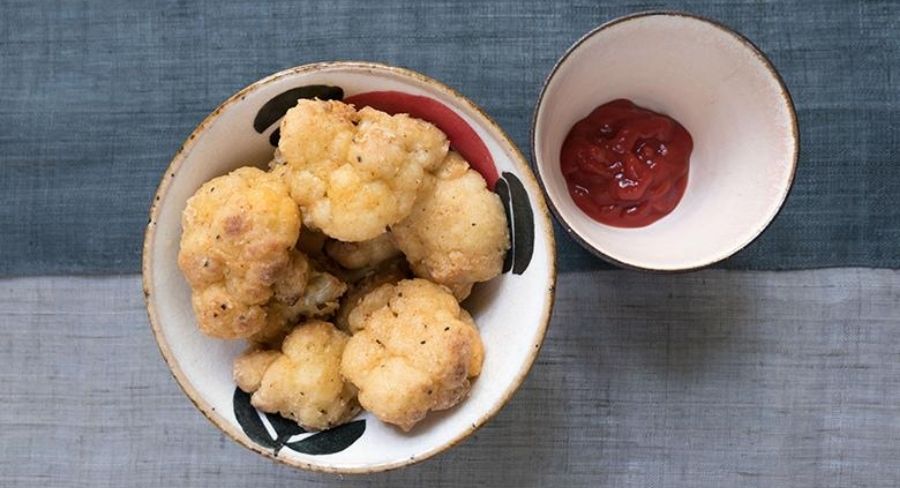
<point x="710" y="379"/>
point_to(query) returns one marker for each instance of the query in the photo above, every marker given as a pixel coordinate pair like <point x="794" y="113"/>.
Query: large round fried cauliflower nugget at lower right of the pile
<point x="417" y="351"/>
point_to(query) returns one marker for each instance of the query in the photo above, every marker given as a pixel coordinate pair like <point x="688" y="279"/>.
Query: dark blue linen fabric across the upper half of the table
<point x="95" y="98"/>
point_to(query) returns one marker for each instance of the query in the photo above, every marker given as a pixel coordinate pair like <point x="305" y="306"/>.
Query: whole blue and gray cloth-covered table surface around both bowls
<point x="769" y="372"/>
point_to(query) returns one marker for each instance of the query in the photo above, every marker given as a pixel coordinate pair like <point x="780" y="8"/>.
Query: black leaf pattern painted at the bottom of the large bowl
<point x="325" y="442"/>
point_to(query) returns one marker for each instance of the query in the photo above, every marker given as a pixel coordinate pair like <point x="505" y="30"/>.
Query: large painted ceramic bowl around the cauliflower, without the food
<point x="512" y="310"/>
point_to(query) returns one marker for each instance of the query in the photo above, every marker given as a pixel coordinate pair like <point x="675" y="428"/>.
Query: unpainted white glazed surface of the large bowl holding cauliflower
<point x="511" y="311"/>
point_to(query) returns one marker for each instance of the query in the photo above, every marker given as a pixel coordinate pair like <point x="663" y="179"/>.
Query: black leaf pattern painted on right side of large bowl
<point x="520" y="218"/>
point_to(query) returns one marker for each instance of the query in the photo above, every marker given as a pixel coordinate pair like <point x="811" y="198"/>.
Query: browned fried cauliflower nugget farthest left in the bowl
<point x="237" y="234"/>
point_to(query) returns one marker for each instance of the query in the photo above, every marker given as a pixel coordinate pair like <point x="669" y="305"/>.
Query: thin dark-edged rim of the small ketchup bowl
<point x="755" y="50"/>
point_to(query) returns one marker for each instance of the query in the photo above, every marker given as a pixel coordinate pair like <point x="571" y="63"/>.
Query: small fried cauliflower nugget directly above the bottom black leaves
<point x="304" y="382"/>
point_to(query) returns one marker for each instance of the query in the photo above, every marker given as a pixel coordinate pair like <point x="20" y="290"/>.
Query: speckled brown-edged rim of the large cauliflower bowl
<point x="525" y="174"/>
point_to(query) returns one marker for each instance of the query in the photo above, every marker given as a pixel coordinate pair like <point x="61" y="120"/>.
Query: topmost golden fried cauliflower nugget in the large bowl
<point x="355" y="173"/>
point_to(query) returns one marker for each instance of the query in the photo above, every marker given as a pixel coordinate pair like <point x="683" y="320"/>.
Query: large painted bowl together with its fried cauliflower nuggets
<point x="349" y="267"/>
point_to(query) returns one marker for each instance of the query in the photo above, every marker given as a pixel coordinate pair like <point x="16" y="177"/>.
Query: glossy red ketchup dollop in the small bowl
<point x="626" y="166"/>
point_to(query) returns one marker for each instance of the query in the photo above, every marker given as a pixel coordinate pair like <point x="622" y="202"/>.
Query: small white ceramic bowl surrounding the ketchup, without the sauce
<point x="722" y="89"/>
